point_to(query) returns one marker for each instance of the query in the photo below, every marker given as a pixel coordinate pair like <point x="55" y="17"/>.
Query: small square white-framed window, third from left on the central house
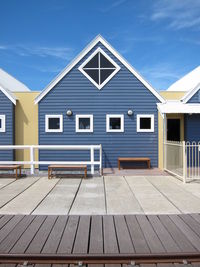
<point x="114" y="123"/>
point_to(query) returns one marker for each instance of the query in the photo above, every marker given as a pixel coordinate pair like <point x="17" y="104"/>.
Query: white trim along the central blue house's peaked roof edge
<point x="98" y="39"/>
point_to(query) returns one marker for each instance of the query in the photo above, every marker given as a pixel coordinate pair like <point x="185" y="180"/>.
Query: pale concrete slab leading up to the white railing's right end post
<point x="90" y="198"/>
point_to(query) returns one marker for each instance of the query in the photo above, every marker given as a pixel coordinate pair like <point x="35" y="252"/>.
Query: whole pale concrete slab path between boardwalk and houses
<point x="103" y="195"/>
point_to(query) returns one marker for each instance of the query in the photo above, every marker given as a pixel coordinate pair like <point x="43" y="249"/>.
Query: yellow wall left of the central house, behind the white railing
<point x="26" y="124"/>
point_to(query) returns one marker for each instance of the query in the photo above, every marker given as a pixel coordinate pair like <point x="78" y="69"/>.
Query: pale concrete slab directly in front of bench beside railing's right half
<point x="60" y="199"/>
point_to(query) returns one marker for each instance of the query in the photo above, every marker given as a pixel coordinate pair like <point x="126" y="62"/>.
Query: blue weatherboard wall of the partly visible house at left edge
<point x="7" y="138"/>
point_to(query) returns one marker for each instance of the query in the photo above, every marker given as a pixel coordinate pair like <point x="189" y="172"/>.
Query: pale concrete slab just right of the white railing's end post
<point x="119" y="197"/>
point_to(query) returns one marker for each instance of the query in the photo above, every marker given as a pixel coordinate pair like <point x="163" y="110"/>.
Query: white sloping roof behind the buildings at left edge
<point x="10" y="83"/>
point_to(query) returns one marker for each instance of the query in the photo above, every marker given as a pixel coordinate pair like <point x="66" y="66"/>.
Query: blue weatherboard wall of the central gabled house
<point x="123" y="92"/>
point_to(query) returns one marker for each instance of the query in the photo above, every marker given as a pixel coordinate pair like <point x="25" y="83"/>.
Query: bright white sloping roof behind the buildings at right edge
<point x="187" y="82"/>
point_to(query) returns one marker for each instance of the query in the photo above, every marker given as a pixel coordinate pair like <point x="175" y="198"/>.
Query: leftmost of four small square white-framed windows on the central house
<point x="53" y="123"/>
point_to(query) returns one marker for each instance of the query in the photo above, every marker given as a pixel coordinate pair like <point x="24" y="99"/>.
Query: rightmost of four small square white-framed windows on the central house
<point x="145" y="123"/>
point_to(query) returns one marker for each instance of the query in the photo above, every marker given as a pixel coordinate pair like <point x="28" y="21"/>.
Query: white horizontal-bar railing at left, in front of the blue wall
<point x="32" y="148"/>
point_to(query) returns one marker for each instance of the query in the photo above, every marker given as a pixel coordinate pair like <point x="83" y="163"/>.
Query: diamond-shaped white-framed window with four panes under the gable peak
<point x="99" y="68"/>
